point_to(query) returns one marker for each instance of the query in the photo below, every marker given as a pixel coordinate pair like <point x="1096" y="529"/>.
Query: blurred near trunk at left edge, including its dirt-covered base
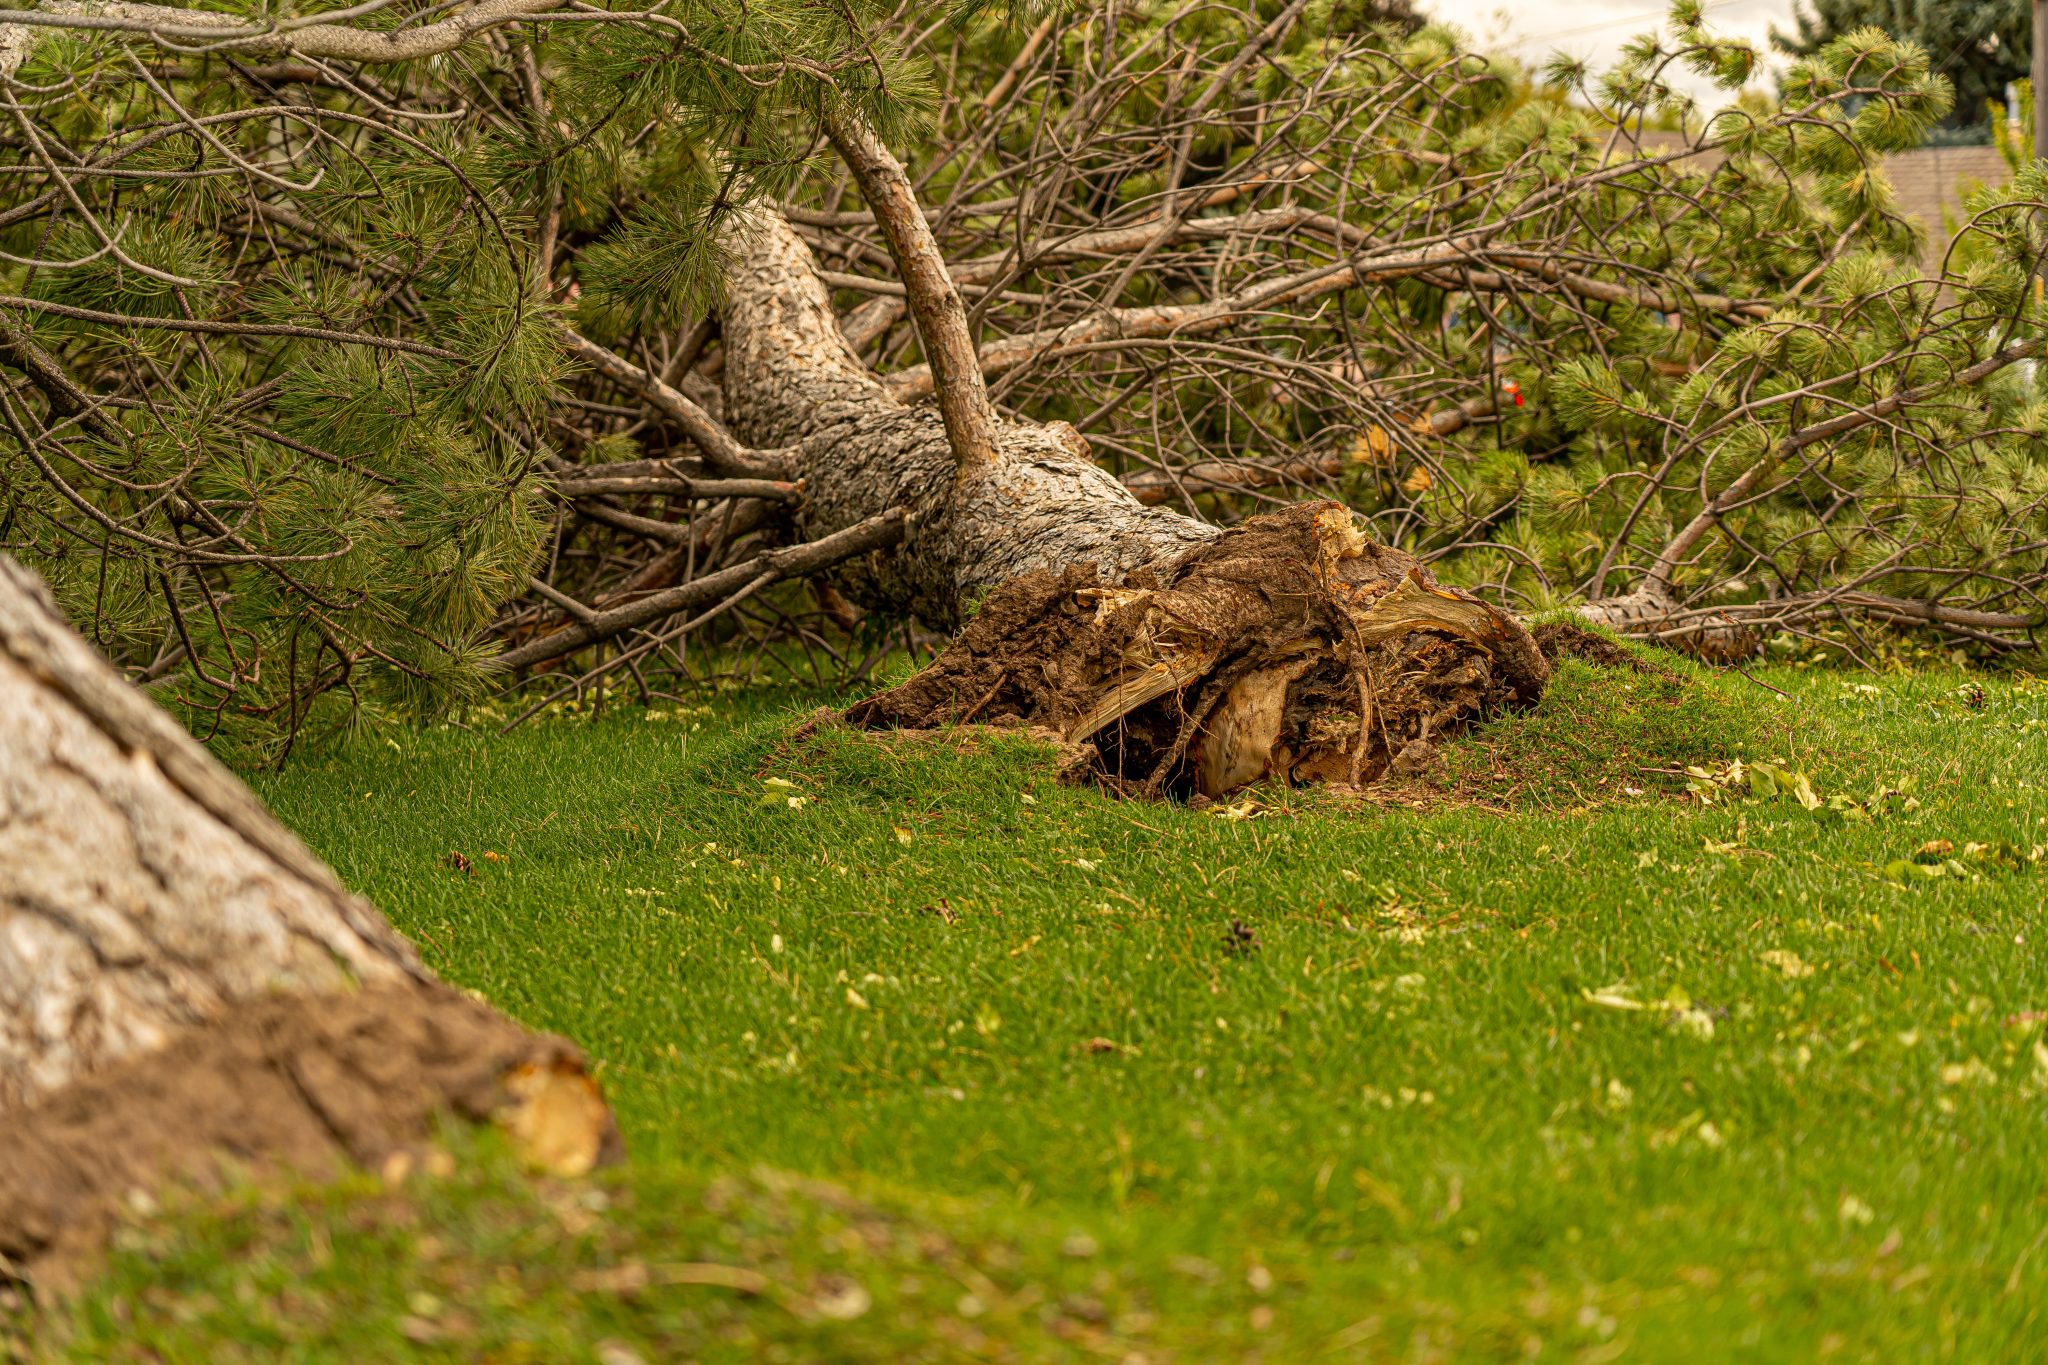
<point x="185" y="985"/>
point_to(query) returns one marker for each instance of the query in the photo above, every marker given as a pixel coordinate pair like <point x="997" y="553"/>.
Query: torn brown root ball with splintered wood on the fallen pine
<point x="1289" y="648"/>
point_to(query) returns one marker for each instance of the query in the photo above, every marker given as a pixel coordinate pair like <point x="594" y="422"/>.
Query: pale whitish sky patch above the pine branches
<point x="1596" y="30"/>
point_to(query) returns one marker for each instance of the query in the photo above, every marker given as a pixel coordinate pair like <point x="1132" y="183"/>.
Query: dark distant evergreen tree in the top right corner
<point x="1979" y="46"/>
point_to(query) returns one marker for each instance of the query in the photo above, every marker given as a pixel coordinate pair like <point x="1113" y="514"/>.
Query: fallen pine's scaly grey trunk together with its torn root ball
<point x="1193" y="660"/>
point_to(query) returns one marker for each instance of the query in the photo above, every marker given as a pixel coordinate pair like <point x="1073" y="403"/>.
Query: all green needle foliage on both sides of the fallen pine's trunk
<point x="282" y="390"/>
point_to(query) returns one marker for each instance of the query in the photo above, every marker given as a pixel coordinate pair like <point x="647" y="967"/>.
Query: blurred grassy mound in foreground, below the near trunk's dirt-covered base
<point x="482" y="1264"/>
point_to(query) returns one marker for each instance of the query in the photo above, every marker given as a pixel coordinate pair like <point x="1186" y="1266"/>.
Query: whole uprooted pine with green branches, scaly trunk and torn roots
<point x="620" y="367"/>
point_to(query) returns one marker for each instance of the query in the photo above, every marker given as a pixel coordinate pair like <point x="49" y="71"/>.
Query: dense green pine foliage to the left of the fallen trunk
<point x="300" y="535"/>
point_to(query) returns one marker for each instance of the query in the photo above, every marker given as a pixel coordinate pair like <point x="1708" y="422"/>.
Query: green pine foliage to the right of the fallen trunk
<point x="1633" y="414"/>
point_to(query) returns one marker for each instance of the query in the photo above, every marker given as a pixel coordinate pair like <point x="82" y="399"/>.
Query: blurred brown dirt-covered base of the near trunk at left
<point x="282" y="1086"/>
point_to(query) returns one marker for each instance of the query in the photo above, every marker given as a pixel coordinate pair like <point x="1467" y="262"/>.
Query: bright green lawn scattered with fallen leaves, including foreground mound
<point x="929" y="1057"/>
